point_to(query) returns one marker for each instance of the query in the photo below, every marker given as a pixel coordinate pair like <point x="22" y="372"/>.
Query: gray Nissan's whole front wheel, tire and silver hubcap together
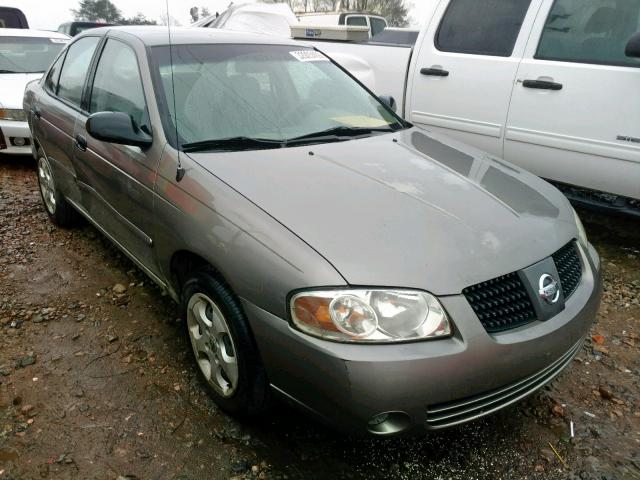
<point x="223" y="345"/>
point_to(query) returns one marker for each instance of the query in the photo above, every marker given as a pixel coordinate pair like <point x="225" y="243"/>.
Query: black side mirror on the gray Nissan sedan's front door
<point x="117" y="127"/>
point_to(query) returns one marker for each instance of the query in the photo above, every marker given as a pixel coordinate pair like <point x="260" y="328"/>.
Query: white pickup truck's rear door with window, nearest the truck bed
<point x="464" y="71"/>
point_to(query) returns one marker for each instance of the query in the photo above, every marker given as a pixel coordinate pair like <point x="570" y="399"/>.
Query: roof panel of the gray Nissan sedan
<point x="159" y="35"/>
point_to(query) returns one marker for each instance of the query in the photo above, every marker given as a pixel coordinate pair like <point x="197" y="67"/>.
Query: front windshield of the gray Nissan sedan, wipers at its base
<point x="266" y="92"/>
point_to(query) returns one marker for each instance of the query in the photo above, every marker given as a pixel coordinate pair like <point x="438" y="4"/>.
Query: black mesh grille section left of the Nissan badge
<point x="501" y="303"/>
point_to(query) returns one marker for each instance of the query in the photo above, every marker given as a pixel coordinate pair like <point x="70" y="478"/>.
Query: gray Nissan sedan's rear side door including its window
<point x="56" y="110"/>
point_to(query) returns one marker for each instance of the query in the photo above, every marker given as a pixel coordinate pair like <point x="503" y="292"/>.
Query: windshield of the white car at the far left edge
<point x="28" y="54"/>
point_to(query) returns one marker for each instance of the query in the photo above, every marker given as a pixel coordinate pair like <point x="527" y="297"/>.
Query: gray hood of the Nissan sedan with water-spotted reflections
<point x="409" y="209"/>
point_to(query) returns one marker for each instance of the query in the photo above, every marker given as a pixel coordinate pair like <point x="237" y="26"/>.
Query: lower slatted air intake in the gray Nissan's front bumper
<point x="448" y="414"/>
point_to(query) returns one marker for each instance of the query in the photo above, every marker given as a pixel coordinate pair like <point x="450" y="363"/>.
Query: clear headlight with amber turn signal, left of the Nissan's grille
<point x="369" y="315"/>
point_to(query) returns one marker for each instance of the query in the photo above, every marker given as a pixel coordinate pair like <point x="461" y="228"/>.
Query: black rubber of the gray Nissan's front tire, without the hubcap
<point x="250" y="395"/>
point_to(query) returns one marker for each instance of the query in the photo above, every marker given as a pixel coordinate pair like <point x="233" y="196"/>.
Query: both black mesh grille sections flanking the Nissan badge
<point x="503" y="302"/>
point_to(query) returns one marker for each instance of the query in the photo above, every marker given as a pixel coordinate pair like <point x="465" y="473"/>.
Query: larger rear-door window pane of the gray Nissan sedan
<point x="75" y="69"/>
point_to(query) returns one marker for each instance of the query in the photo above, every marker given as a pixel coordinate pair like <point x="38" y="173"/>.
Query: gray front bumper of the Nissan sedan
<point x="430" y="384"/>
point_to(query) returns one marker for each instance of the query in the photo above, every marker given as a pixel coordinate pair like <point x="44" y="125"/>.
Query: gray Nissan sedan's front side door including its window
<point x="118" y="180"/>
